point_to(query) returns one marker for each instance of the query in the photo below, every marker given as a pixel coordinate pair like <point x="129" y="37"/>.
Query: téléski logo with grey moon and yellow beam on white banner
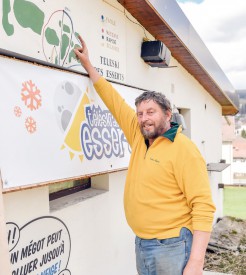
<point x="89" y="130"/>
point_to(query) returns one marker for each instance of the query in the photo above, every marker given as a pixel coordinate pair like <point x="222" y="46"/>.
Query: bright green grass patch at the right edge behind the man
<point x="234" y="202"/>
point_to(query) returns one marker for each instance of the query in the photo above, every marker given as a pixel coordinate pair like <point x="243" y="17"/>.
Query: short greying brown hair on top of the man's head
<point x="158" y="98"/>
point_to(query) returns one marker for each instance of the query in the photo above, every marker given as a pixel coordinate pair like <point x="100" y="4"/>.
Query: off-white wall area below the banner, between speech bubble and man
<point x="101" y="241"/>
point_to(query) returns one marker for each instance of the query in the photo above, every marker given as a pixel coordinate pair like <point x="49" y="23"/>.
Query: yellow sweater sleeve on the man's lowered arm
<point x="194" y="183"/>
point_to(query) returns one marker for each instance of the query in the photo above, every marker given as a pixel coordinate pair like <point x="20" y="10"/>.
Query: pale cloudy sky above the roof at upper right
<point x="221" y="24"/>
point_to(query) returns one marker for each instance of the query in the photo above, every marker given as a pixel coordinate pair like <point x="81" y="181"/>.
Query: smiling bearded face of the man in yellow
<point x="152" y="120"/>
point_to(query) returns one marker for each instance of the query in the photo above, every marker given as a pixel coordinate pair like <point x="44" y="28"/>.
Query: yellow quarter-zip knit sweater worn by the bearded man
<point x="167" y="185"/>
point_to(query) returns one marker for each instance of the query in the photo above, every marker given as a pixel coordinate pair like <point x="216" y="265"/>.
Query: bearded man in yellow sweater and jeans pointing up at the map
<point x="167" y="195"/>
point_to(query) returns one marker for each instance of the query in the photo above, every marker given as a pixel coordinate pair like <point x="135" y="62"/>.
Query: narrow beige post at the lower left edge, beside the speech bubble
<point x="5" y="268"/>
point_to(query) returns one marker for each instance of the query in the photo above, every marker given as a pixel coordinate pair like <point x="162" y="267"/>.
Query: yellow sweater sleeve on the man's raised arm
<point x="122" y="112"/>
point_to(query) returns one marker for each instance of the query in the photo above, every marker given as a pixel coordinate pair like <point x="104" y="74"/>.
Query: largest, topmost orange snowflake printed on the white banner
<point x="30" y="94"/>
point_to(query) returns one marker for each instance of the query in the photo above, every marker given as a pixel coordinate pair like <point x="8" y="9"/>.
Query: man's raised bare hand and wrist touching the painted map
<point x="83" y="55"/>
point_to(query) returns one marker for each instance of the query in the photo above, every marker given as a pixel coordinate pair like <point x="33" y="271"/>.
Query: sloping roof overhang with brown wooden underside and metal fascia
<point x="165" y="20"/>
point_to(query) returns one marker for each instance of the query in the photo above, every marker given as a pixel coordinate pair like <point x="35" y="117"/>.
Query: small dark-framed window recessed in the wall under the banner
<point x="61" y="189"/>
